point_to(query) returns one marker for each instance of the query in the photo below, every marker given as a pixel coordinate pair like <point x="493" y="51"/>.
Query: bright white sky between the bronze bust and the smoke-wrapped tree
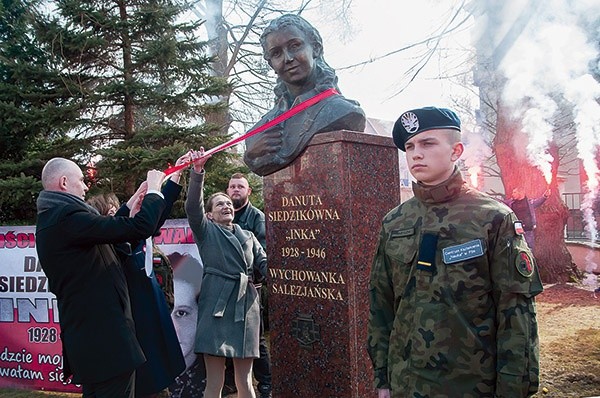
<point x="378" y="27"/>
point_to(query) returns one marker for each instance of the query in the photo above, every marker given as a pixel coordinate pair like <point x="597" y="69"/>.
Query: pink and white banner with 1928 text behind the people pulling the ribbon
<point x="30" y="348"/>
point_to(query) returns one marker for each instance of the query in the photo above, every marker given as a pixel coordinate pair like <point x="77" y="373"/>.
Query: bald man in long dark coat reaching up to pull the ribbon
<point x="75" y="249"/>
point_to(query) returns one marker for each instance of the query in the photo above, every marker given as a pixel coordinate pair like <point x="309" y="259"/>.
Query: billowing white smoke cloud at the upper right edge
<point x="553" y="56"/>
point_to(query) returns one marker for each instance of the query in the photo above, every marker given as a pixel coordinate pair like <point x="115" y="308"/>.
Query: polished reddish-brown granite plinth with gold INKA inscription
<point x="323" y="216"/>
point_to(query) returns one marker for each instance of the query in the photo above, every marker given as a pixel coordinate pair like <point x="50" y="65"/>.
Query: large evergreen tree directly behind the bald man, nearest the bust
<point x="140" y="78"/>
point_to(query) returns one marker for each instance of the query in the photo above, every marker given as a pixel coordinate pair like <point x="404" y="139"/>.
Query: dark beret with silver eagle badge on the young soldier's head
<point x="416" y="121"/>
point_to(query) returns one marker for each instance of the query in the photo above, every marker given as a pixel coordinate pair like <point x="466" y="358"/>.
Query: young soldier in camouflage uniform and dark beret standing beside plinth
<point x="452" y="286"/>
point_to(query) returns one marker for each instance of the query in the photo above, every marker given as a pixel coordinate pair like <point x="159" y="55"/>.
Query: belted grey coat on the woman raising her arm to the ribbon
<point x="228" y="304"/>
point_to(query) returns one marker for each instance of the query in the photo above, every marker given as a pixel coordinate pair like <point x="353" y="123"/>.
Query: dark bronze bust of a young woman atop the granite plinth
<point x="294" y="49"/>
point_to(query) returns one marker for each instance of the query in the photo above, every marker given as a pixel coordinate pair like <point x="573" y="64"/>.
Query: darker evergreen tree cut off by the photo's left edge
<point x="32" y="112"/>
